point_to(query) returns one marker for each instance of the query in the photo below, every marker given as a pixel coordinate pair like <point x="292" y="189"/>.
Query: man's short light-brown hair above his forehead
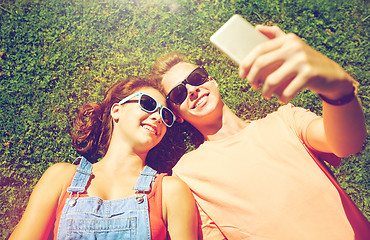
<point x="163" y="64"/>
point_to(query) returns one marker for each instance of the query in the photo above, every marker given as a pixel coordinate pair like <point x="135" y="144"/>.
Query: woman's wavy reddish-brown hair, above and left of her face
<point x="93" y="125"/>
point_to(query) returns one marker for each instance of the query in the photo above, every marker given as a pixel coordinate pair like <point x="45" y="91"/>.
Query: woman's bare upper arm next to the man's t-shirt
<point x="179" y="210"/>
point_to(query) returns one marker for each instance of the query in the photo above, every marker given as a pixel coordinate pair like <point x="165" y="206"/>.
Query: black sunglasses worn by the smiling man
<point x="179" y="93"/>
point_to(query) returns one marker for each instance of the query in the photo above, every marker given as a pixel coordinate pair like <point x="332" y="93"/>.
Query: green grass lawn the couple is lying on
<point x="58" y="54"/>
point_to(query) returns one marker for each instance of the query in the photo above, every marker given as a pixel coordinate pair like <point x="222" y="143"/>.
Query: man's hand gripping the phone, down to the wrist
<point x="285" y="65"/>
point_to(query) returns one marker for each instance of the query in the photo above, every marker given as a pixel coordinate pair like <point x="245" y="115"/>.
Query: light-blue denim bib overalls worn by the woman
<point x="94" y="218"/>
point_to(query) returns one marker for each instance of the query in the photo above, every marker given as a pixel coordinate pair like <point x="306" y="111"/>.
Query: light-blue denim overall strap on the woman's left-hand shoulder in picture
<point x="82" y="176"/>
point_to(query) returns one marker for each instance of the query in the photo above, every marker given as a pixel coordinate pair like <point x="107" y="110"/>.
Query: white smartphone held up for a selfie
<point x="236" y="38"/>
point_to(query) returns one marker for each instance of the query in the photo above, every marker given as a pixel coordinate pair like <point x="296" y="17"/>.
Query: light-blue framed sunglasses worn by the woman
<point x="150" y="105"/>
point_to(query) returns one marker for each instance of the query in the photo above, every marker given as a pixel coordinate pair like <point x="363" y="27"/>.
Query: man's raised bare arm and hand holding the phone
<point x="286" y="65"/>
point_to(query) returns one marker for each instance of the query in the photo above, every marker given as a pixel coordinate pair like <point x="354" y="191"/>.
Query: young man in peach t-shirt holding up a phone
<point x="260" y="179"/>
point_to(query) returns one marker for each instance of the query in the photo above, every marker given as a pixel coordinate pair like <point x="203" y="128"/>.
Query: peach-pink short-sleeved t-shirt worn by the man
<point x="262" y="183"/>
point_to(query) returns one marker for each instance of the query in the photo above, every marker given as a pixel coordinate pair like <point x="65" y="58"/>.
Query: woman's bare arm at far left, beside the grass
<point x="39" y="216"/>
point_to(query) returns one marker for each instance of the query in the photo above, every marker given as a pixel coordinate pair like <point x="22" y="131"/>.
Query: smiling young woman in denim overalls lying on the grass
<point x="119" y="197"/>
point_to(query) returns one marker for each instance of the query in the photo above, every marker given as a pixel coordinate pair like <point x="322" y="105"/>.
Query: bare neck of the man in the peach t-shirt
<point x="227" y="124"/>
